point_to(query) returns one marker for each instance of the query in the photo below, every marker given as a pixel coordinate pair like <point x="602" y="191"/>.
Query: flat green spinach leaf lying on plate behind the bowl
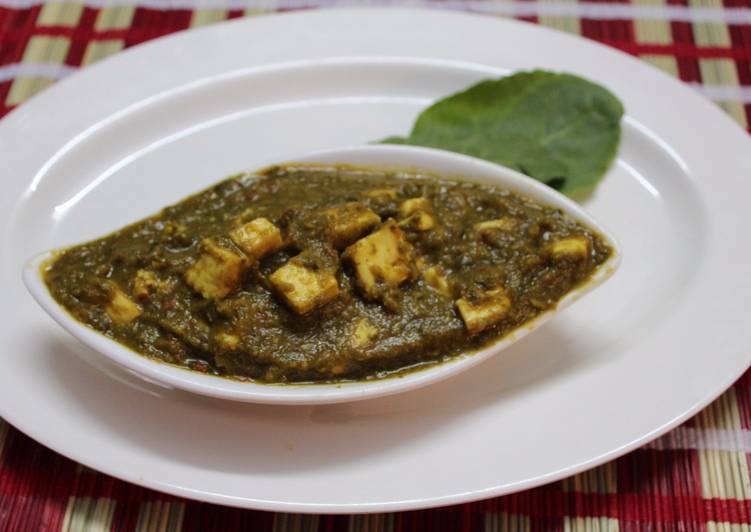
<point x="557" y="128"/>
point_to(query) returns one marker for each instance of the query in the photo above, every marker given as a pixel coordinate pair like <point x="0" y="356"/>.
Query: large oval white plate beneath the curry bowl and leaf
<point x="667" y="334"/>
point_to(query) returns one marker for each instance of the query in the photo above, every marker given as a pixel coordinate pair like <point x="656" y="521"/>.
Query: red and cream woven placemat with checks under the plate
<point x="694" y="478"/>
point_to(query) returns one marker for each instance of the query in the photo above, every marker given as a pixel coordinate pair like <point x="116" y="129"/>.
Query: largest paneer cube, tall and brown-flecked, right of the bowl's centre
<point x="383" y="257"/>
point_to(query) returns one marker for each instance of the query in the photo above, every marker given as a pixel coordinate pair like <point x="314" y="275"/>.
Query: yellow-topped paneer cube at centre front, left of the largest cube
<point x="304" y="287"/>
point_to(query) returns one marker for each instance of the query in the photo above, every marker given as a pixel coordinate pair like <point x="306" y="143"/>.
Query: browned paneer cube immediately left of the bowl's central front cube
<point x="217" y="272"/>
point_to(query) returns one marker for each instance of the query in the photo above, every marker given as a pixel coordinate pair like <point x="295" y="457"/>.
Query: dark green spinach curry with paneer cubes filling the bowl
<point x="310" y="273"/>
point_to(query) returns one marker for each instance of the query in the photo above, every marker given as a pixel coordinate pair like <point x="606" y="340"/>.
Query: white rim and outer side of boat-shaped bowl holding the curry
<point x="442" y="163"/>
